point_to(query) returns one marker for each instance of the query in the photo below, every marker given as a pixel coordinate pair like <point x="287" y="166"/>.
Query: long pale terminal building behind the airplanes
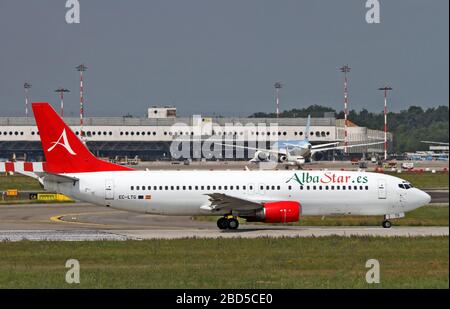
<point x="151" y="138"/>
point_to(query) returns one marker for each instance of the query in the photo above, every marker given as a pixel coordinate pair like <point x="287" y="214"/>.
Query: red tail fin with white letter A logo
<point x="63" y="150"/>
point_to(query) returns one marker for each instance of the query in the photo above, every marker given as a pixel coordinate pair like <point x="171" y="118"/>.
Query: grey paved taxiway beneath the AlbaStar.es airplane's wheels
<point x="81" y="221"/>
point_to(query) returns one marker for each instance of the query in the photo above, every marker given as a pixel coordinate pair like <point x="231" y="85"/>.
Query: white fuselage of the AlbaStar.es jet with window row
<point x="185" y="192"/>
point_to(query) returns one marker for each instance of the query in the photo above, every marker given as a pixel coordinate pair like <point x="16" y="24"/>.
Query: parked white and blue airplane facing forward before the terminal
<point x="294" y="152"/>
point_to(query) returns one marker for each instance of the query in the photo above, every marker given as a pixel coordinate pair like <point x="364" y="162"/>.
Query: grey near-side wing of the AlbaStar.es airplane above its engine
<point x="220" y="201"/>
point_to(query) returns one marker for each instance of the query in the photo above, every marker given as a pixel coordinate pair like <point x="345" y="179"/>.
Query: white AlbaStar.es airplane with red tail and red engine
<point x="258" y="196"/>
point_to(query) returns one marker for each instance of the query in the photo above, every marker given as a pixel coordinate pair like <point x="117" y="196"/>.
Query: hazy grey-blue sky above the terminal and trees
<point x="223" y="56"/>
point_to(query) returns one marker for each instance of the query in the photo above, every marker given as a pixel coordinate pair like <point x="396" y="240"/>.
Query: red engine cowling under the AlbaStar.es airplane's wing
<point x="278" y="212"/>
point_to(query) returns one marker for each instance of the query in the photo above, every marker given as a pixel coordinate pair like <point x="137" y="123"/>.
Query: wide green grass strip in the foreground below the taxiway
<point x="328" y="262"/>
